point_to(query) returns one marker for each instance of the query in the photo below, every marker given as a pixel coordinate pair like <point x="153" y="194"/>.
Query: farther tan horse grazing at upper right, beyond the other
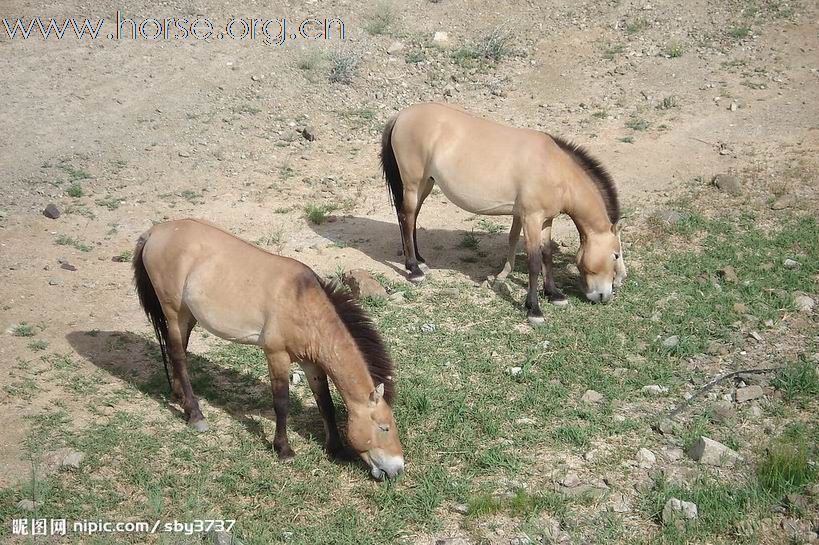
<point x="493" y="169"/>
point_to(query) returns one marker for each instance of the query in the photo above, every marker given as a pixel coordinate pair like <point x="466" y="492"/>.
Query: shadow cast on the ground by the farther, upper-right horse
<point x="445" y="249"/>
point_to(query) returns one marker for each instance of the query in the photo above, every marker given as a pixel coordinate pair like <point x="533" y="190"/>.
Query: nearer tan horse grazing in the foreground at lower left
<point x="190" y="271"/>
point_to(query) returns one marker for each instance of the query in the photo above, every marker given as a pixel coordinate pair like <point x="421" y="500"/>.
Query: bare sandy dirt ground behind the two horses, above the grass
<point x="170" y="129"/>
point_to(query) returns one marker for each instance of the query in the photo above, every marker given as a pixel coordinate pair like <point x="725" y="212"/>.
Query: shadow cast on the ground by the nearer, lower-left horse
<point x="244" y="397"/>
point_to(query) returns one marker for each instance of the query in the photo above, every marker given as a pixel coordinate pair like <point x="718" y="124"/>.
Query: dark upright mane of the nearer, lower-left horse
<point x="365" y="335"/>
